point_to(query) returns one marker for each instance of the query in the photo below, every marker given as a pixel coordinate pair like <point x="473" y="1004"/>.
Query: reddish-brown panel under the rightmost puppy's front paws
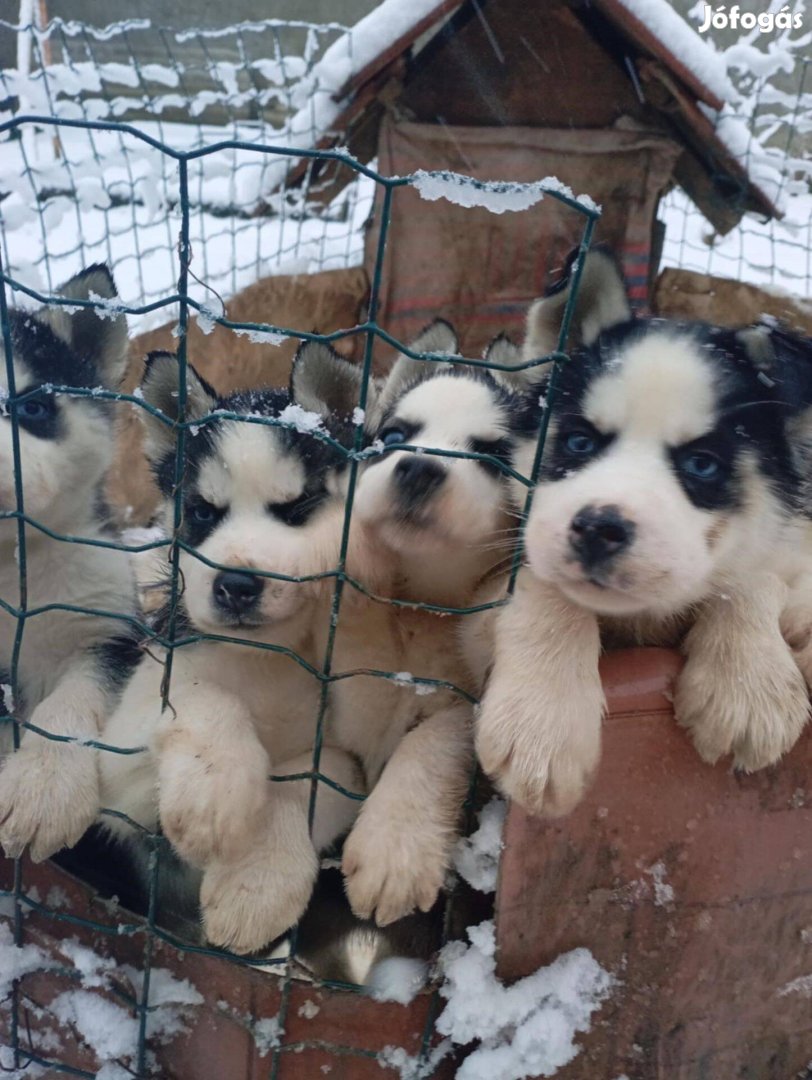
<point x="692" y="884"/>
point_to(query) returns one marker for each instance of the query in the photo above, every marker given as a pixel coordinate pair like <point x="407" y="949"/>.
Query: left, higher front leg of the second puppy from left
<point x="212" y="774"/>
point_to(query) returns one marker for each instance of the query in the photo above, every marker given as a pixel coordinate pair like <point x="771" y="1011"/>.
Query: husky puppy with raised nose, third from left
<point x="434" y="528"/>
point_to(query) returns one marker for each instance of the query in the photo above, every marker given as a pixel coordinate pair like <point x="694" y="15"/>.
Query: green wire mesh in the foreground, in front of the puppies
<point x="186" y="163"/>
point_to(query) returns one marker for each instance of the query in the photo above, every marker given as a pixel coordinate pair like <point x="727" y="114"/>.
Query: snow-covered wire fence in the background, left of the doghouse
<point x="258" y="83"/>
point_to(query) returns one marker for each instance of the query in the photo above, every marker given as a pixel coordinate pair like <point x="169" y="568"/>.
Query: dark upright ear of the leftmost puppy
<point x="98" y="335"/>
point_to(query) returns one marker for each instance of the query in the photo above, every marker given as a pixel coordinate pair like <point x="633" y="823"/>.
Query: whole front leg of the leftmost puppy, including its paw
<point x="49" y="790"/>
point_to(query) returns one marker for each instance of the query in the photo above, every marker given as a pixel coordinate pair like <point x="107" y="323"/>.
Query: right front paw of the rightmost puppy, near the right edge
<point x="754" y="713"/>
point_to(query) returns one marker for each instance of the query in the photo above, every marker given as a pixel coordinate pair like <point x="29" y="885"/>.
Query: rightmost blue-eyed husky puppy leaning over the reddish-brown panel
<point x="667" y="514"/>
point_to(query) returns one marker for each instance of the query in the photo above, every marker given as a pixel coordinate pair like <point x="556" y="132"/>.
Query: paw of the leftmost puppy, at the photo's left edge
<point x="49" y="796"/>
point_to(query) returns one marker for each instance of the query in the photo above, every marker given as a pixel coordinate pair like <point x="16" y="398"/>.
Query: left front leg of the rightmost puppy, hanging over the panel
<point x="538" y="731"/>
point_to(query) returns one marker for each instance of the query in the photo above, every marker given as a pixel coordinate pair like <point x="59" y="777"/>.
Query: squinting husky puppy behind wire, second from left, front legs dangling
<point x="258" y="501"/>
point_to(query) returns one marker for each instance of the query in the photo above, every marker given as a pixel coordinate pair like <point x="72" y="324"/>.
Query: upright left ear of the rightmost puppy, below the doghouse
<point x="601" y="303"/>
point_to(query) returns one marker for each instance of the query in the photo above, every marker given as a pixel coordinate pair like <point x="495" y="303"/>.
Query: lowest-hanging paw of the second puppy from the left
<point x="249" y="903"/>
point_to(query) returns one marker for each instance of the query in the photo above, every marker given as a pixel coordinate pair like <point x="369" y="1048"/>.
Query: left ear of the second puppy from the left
<point x="159" y="388"/>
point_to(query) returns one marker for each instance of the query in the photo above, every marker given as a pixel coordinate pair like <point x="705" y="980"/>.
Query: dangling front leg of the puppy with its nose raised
<point x="397" y="856"/>
